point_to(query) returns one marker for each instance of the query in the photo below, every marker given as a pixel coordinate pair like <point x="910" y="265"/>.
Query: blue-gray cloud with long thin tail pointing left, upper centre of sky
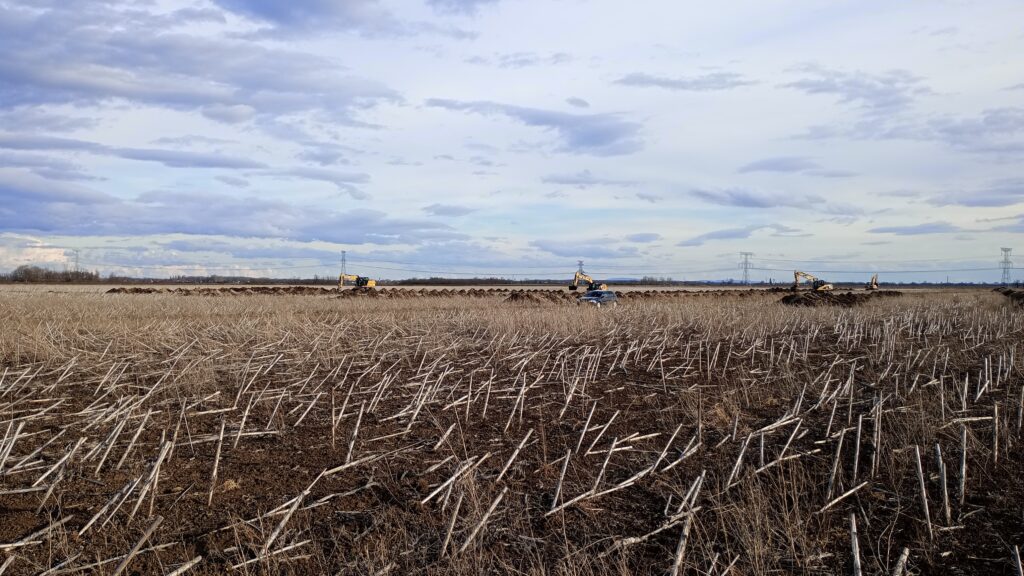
<point x="602" y="135"/>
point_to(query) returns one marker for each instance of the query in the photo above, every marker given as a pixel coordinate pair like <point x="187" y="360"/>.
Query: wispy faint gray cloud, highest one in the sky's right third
<point x="875" y="94"/>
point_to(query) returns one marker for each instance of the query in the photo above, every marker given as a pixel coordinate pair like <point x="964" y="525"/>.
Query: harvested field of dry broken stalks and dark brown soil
<point x="486" y="434"/>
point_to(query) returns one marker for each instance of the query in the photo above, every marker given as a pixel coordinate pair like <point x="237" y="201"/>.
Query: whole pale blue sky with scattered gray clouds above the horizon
<point x="514" y="138"/>
